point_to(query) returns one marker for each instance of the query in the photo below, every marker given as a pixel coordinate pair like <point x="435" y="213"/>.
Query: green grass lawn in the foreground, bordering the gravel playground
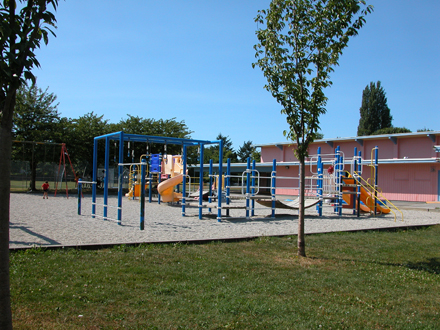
<point x="364" y="280"/>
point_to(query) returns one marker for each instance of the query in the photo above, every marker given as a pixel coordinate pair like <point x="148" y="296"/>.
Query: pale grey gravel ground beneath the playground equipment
<point x="55" y="222"/>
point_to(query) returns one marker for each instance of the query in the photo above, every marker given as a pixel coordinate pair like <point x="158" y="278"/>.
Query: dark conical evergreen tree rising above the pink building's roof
<point x="374" y="111"/>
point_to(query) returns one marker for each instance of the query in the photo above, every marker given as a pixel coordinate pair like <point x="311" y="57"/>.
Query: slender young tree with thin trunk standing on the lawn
<point x="300" y="42"/>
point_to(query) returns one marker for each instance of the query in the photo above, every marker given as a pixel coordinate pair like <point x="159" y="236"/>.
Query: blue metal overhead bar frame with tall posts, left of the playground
<point x="125" y="137"/>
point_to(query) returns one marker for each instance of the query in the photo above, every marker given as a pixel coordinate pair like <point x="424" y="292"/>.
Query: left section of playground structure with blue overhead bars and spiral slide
<point x="177" y="169"/>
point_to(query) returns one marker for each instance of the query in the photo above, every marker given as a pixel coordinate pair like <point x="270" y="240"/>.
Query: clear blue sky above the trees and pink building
<point x="192" y="60"/>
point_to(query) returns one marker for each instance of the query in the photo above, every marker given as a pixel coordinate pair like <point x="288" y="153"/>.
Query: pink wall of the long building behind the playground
<point x="408" y="169"/>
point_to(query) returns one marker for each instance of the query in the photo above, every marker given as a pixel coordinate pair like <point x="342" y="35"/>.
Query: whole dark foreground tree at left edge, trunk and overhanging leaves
<point x="21" y="33"/>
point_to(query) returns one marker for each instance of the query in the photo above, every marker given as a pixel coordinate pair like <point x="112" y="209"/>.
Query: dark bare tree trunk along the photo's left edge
<point x="5" y="185"/>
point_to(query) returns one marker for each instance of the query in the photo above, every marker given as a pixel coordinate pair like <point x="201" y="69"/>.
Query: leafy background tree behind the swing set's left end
<point x="36" y="119"/>
